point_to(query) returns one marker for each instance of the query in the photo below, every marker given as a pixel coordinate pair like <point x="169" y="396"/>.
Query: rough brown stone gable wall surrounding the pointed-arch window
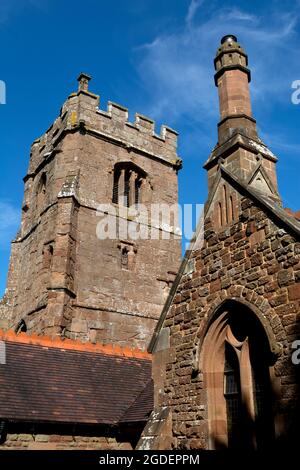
<point x="255" y="262"/>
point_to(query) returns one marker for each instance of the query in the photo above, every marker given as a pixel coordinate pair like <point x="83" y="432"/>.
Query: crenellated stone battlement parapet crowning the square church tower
<point x="81" y="111"/>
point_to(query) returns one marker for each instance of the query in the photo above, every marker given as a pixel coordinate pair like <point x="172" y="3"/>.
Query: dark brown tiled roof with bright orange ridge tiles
<point x="46" y="383"/>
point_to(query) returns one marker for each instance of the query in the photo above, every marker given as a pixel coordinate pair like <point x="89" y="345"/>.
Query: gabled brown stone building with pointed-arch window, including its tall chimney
<point x="224" y="363"/>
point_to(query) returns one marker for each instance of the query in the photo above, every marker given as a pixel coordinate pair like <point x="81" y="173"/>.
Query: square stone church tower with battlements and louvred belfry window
<point x="64" y="280"/>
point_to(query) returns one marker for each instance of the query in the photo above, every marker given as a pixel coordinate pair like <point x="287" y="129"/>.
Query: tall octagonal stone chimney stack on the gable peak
<point x="239" y="149"/>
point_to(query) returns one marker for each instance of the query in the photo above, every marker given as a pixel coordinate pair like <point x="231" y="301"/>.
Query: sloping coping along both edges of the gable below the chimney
<point x="291" y="223"/>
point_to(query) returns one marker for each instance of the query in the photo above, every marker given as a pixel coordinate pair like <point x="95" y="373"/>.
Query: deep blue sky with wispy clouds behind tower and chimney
<point x="156" y="58"/>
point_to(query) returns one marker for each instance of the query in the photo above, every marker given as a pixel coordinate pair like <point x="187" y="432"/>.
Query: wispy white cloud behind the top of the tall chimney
<point x="178" y="66"/>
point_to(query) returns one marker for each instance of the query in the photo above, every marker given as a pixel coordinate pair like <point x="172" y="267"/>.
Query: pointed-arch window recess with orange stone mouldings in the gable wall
<point x="236" y="362"/>
